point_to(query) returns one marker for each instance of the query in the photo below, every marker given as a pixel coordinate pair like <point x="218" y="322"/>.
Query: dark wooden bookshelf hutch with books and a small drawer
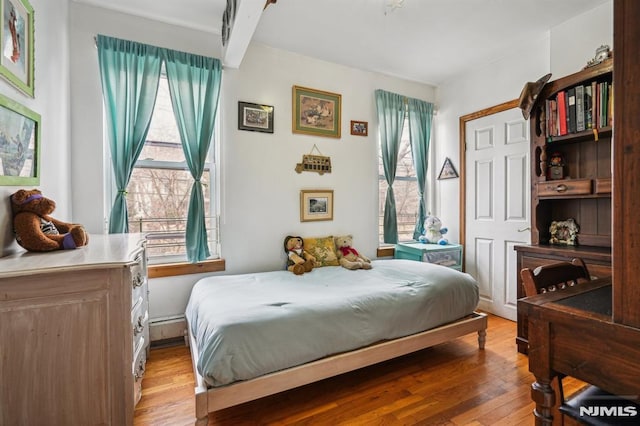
<point x="571" y="170"/>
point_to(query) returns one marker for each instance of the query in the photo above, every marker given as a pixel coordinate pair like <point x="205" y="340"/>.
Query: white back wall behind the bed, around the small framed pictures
<point x="260" y="188"/>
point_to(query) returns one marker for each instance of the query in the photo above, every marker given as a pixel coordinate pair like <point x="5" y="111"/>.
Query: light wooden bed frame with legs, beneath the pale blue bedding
<point x="210" y="399"/>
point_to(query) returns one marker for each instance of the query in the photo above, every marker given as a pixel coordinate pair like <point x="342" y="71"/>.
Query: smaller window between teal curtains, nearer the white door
<point x="405" y="188"/>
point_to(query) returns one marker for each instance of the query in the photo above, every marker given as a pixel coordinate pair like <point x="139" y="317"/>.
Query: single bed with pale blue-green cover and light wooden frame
<point x="254" y="335"/>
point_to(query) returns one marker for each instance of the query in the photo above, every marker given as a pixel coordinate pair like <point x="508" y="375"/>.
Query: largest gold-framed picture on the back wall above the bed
<point x="316" y="112"/>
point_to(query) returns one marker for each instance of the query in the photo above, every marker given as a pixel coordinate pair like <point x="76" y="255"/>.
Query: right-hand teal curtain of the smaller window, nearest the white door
<point x="420" y="120"/>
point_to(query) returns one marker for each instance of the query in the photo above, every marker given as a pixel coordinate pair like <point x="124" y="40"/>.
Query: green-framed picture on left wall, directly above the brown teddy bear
<point x="19" y="144"/>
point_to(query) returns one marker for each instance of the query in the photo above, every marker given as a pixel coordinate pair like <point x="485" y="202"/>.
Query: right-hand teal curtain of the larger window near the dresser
<point x="194" y="85"/>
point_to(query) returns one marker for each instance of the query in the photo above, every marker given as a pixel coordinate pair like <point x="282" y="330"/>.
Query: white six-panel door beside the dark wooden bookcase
<point x="497" y="206"/>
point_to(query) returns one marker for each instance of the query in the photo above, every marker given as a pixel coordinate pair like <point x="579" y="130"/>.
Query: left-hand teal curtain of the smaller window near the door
<point x="391" y="114"/>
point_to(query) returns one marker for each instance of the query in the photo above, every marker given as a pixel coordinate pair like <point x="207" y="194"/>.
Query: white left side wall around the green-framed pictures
<point x="51" y="101"/>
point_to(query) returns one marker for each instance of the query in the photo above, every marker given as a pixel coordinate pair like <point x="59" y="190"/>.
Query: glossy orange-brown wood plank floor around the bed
<point x="450" y="384"/>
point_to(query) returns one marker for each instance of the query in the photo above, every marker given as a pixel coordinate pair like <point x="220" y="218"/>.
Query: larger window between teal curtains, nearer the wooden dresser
<point x="160" y="188"/>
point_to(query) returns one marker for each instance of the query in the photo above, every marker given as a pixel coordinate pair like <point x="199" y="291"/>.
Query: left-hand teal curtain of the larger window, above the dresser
<point x="130" y="73"/>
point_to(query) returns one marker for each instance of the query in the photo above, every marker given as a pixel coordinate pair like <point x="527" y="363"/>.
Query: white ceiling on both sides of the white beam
<point x="423" y="40"/>
